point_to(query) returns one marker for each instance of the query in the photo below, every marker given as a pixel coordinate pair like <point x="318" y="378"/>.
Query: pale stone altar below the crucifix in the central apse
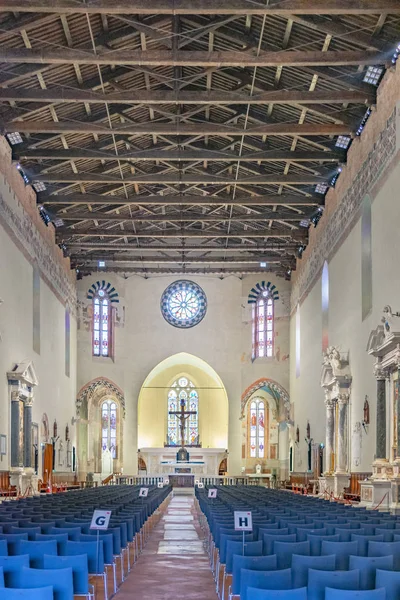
<point x="163" y="461"/>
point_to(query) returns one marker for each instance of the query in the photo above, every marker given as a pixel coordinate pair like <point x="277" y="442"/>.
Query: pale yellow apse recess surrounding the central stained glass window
<point x="153" y="398"/>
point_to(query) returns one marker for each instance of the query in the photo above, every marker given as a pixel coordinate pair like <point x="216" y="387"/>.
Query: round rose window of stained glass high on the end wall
<point x="183" y="304"/>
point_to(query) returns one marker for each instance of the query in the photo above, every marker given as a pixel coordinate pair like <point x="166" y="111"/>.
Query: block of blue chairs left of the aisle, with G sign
<point x="47" y="543"/>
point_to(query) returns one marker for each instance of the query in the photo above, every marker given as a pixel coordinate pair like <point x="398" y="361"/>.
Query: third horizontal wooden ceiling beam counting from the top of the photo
<point x="59" y="94"/>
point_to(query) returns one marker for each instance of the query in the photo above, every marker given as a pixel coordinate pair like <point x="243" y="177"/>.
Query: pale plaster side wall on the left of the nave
<point x="55" y="393"/>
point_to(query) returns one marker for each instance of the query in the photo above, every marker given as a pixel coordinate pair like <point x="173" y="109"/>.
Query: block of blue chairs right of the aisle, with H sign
<point x="294" y="536"/>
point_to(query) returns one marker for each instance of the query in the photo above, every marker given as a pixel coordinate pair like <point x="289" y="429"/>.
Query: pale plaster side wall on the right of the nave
<point x="347" y="331"/>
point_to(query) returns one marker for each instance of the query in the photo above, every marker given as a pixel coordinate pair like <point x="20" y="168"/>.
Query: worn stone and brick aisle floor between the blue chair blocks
<point x="174" y="563"/>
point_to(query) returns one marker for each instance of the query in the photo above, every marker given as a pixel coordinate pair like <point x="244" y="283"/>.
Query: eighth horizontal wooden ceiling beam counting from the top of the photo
<point x="180" y="217"/>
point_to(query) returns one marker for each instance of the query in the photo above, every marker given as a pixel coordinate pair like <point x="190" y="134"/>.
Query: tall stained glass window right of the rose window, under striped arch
<point x="263" y="326"/>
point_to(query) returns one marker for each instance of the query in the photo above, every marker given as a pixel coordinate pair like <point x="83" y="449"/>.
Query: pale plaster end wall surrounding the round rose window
<point x="222" y="339"/>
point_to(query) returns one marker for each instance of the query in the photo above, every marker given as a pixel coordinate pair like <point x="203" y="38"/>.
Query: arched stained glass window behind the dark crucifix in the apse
<point x="183" y="391"/>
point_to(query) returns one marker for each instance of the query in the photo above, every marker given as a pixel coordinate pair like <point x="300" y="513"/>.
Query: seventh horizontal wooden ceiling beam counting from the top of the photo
<point x="278" y="200"/>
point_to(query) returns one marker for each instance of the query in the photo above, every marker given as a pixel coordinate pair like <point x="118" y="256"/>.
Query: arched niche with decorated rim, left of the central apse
<point x="89" y="404"/>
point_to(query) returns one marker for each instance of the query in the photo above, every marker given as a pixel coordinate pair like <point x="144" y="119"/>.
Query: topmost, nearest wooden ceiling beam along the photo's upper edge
<point x="204" y="7"/>
